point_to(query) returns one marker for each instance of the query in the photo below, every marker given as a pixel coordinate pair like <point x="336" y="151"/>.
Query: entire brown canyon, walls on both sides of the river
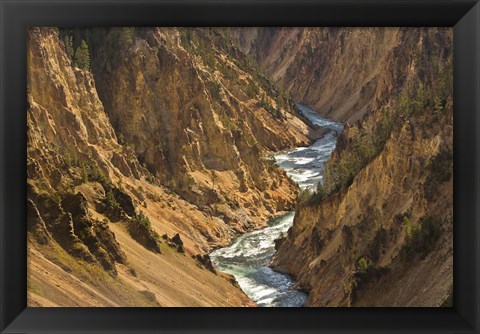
<point x="149" y="148"/>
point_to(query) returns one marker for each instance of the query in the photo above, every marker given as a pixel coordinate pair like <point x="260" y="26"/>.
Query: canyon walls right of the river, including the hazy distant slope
<point x="379" y="230"/>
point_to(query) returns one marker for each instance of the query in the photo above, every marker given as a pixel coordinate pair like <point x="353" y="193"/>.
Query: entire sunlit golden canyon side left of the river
<point x="95" y="213"/>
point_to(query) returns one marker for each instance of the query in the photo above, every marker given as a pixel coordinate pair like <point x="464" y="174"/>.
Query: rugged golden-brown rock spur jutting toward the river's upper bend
<point x="182" y="106"/>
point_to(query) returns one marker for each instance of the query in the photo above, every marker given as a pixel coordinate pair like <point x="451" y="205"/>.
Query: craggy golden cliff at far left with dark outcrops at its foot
<point x="66" y="125"/>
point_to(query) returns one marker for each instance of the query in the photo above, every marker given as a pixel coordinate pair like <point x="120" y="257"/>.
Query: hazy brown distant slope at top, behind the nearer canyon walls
<point x="340" y="72"/>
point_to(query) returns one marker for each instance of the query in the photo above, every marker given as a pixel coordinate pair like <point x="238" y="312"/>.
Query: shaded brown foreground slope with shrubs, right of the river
<point x="378" y="232"/>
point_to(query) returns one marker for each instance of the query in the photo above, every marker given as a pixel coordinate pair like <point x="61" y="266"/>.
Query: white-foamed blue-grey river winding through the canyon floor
<point x="248" y="257"/>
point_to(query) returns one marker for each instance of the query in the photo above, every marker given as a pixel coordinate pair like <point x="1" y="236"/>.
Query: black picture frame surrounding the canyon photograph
<point x="16" y="16"/>
